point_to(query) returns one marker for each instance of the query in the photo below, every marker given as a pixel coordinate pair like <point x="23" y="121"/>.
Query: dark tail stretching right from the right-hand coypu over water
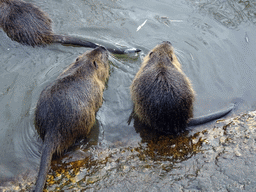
<point x="210" y="117"/>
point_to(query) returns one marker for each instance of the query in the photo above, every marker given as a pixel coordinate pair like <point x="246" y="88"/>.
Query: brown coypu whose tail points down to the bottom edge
<point x="66" y="108"/>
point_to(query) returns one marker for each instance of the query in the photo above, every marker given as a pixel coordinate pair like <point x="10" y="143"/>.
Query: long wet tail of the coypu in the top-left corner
<point x="69" y="40"/>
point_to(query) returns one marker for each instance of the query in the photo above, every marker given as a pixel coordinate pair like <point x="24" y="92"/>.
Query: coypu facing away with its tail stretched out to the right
<point x="163" y="95"/>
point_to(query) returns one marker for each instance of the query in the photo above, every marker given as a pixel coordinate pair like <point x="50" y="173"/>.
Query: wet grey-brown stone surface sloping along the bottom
<point x="221" y="158"/>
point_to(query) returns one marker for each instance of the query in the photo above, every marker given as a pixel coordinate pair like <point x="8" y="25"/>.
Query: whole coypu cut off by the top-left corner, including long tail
<point x="27" y="24"/>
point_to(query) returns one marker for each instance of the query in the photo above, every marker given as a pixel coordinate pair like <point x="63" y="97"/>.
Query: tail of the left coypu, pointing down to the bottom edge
<point x="46" y="158"/>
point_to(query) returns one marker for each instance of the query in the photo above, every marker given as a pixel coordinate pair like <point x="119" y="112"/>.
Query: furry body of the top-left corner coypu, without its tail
<point x="25" y="23"/>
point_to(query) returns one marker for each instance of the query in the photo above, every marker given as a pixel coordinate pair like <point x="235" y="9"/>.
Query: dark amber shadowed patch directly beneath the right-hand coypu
<point x="166" y="147"/>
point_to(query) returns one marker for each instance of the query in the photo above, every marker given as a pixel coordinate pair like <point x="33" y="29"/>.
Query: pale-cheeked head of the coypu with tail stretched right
<point x="165" y="52"/>
